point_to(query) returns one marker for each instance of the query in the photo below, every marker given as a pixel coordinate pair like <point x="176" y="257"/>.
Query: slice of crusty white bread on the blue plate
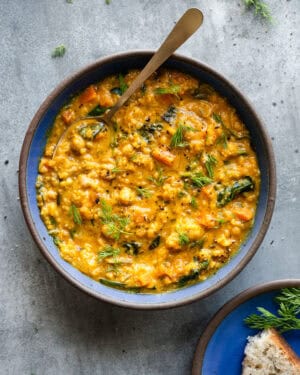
<point x="267" y="353"/>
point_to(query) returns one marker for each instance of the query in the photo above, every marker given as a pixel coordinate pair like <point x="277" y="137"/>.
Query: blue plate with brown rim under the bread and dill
<point x="220" y="350"/>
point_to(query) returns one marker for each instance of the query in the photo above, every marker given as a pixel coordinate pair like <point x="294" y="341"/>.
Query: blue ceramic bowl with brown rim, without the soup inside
<point x="35" y="141"/>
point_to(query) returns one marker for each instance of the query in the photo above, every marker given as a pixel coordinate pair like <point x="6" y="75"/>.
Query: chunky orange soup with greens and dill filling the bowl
<point x="163" y="199"/>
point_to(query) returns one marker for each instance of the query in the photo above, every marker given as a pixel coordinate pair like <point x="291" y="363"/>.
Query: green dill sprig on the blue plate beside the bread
<point x="287" y="317"/>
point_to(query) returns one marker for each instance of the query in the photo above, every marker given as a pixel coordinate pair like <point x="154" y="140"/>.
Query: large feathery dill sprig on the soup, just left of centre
<point x="115" y="224"/>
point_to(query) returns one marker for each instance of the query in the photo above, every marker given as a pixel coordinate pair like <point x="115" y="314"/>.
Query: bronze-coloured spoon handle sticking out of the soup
<point x="184" y="28"/>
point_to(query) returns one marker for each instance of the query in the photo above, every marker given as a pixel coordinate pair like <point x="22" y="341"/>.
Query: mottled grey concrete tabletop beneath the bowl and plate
<point x="46" y="325"/>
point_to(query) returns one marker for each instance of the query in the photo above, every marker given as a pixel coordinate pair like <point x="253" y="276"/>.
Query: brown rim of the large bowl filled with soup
<point x="24" y="199"/>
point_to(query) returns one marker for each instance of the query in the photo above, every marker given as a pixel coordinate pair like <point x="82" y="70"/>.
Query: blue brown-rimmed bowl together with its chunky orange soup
<point x="161" y="208"/>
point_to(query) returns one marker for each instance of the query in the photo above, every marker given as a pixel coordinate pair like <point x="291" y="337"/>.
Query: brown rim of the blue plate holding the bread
<point x="227" y="308"/>
